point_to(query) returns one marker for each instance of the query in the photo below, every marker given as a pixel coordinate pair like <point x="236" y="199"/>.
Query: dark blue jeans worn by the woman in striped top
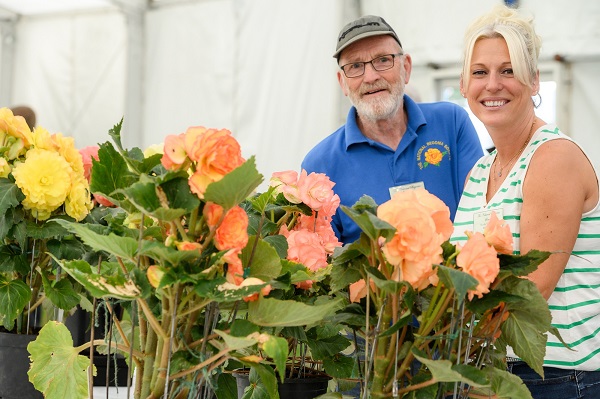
<point x="558" y="383"/>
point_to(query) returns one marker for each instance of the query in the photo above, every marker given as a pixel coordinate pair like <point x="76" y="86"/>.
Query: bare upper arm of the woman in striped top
<point x="559" y="187"/>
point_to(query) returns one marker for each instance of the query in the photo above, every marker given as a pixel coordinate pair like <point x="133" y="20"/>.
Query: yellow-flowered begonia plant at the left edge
<point x="41" y="180"/>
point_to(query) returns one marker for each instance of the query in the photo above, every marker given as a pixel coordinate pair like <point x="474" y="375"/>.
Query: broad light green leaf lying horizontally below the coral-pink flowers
<point x="270" y="312"/>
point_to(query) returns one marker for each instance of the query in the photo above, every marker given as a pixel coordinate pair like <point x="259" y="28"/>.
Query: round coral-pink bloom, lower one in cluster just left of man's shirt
<point x="305" y="247"/>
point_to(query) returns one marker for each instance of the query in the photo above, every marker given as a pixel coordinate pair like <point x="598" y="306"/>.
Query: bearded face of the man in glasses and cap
<point x="376" y="95"/>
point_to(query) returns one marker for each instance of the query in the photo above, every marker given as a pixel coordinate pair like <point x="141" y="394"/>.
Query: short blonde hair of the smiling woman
<point x="518" y="32"/>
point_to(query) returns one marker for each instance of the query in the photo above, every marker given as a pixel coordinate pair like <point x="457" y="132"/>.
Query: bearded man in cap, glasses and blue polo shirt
<point x="389" y="141"/>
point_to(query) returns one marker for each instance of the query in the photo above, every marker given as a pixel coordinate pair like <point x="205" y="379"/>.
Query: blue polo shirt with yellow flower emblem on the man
<point x="440" y="133"/>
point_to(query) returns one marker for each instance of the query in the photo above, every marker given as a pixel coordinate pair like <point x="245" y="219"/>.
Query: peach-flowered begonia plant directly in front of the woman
<point x="439" y="331"/>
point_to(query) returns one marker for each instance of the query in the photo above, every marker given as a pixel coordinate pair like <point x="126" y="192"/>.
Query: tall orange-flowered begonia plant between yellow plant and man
<point x="193" y="256"/>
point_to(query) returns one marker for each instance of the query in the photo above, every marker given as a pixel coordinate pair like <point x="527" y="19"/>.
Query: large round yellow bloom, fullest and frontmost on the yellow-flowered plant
<point x="45" y="180"/>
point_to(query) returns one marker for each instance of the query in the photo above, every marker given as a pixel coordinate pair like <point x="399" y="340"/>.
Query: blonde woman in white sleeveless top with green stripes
<point x="545" y="188"/>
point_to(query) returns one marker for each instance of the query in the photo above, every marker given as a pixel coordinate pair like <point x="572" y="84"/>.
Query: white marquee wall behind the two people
<point x="261" y="68"/>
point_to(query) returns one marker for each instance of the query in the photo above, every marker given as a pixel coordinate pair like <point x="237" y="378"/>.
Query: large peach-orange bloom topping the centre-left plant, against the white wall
<point x="216" y="153"/>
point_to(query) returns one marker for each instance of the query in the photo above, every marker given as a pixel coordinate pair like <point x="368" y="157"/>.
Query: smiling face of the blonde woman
<point x="494" y="95"/>
